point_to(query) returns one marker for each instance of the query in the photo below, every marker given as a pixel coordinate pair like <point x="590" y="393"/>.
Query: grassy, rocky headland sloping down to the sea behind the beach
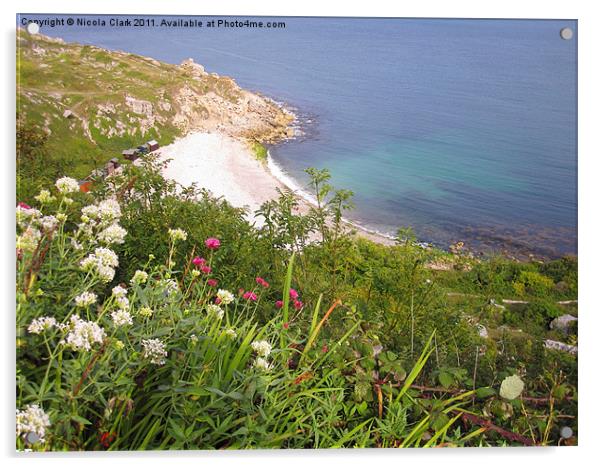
<point x="93" y="103"/>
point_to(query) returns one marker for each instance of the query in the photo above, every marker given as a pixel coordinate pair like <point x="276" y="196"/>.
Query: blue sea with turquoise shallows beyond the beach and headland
<point x="462" y="129"/>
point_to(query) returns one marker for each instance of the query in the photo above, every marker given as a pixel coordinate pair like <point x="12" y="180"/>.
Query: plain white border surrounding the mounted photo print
<point x="590" y="388"/>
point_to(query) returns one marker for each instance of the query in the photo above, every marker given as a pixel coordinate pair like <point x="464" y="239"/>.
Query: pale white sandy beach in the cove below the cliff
<point x="227" y="167"/>
